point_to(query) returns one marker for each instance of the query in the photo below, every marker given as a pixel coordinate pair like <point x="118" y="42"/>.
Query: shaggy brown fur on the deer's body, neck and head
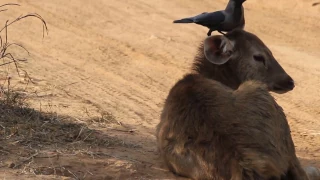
<point x="222" y="123"/>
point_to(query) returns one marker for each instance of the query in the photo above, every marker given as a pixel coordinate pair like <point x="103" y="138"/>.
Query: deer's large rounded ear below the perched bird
<point x="218" y="49"/>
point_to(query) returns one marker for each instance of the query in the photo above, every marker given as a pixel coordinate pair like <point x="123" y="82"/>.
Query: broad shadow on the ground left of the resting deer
<point x="39" y="143"/>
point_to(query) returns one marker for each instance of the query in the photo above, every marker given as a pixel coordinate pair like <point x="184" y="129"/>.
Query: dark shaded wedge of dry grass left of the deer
<point x="29" y="127"/>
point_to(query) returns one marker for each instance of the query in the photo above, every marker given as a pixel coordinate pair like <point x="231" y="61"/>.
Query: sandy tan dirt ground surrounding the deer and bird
<point x="109" y="64"/>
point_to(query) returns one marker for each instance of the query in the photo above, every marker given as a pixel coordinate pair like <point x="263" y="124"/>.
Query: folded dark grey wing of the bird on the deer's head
<point x="209" y="19"/>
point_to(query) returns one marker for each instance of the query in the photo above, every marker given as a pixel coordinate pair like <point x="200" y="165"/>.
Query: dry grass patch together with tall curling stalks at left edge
<point x="27" y="135"/>
